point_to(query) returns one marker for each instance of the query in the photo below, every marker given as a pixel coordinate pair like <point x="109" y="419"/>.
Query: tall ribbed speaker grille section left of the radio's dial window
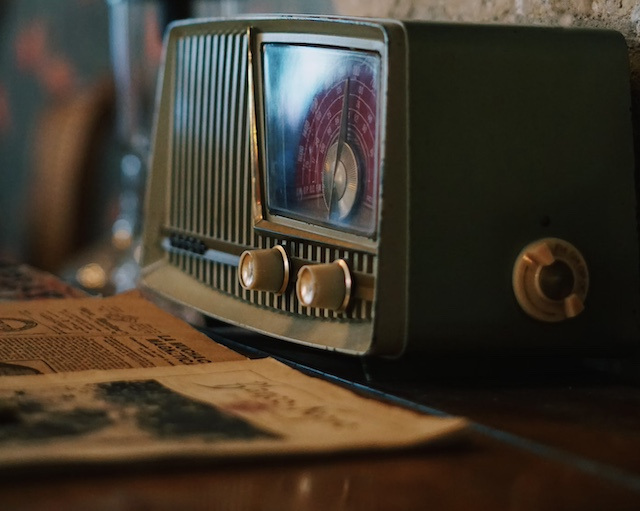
<point x="211" y="183"/>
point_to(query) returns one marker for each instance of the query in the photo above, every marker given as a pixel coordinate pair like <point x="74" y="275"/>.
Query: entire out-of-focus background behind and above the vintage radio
<point x="77" y="86"/>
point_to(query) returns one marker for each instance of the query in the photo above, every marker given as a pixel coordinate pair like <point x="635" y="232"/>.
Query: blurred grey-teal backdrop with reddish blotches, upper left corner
<point x="49" y="52"/>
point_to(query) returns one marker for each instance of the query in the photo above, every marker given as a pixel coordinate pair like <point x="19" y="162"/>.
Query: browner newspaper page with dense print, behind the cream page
<point x="124" y="331"/>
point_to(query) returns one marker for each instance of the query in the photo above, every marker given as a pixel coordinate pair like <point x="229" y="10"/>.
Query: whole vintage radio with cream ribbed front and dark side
<point x="381" y="187"/>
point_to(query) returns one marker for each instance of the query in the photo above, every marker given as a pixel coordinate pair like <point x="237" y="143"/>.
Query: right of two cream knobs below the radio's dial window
<point x="325" y="286"/>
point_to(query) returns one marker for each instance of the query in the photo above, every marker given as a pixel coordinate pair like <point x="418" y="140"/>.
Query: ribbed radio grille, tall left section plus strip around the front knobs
<point x="210" y="180"/>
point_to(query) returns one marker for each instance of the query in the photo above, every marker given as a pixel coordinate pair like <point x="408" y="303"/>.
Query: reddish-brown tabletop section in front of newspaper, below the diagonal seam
<point x="483" y="473"/>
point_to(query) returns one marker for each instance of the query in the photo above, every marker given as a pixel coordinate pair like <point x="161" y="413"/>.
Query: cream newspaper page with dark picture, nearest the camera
<point x="235" y="409"/>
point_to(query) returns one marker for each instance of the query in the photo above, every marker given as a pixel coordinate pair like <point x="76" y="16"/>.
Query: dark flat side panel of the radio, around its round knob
<point x="518" y="134"/>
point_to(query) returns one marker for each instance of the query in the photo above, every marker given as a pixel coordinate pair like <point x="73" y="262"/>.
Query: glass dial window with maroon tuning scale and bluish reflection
<point x="321" y="135"/>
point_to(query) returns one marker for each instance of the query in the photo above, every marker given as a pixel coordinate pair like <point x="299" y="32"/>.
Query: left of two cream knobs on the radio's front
<point x="264" y="270"/>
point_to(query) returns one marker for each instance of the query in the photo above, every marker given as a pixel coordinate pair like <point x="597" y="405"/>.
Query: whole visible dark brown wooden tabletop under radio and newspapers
<point x="546" y="435"/>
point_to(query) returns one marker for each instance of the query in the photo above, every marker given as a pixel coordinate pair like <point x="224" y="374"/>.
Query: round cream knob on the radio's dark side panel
<point x="551" y="280"/>
